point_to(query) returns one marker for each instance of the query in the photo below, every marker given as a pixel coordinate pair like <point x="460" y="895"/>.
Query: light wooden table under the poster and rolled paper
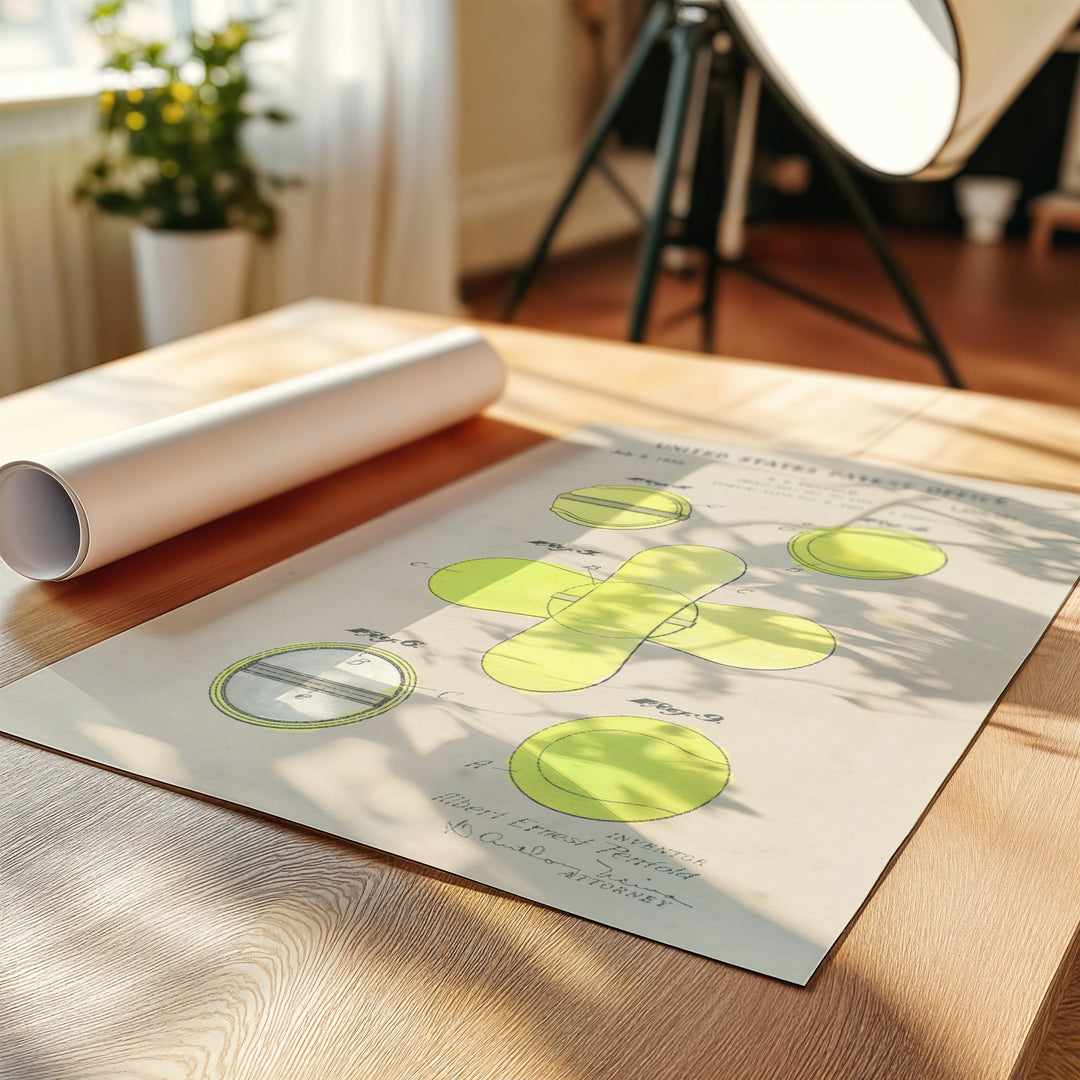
<point x="147" y="934"/>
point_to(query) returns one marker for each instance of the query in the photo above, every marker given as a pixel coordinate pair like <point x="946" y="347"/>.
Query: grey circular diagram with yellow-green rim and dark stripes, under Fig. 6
<point x="315" y="685"/>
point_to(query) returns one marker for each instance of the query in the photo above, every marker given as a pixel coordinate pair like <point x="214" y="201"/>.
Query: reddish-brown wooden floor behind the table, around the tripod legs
<point x="1010" y="320"/>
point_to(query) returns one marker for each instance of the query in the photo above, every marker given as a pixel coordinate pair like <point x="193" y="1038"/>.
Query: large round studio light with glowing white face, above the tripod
<point x="906" y="88"/>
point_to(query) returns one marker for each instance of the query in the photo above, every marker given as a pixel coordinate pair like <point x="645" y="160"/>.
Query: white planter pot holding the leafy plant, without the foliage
<point x="190" y="281"/>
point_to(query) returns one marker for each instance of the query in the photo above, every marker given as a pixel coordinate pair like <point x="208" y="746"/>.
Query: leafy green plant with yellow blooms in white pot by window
<point x="172" y="118"/>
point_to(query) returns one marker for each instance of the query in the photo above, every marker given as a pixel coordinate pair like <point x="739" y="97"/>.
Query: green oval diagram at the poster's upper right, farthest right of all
<point x="869" y="553"/>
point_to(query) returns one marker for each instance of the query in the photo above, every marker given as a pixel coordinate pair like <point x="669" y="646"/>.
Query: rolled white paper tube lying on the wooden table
<point x="73" y="510"/>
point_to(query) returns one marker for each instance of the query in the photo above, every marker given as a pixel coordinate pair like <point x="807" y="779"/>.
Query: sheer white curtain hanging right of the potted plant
<point x="372" y="87"/>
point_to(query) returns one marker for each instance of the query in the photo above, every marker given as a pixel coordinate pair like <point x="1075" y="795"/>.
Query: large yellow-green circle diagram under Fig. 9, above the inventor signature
<point x="620" y="768"/>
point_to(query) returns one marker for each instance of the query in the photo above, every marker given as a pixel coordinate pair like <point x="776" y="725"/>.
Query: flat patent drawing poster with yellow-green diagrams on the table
<point x="694" y="692"/>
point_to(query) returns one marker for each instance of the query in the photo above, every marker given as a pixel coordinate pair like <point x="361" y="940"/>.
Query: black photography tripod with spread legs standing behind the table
<point x="691" y="26"/>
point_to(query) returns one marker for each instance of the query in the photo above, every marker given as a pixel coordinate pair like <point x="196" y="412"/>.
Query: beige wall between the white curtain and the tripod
<point x="531" y="79"/>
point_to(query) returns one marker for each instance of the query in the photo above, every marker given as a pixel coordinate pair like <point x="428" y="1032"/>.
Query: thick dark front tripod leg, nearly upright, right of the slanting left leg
<point x="685" y="42"/>
